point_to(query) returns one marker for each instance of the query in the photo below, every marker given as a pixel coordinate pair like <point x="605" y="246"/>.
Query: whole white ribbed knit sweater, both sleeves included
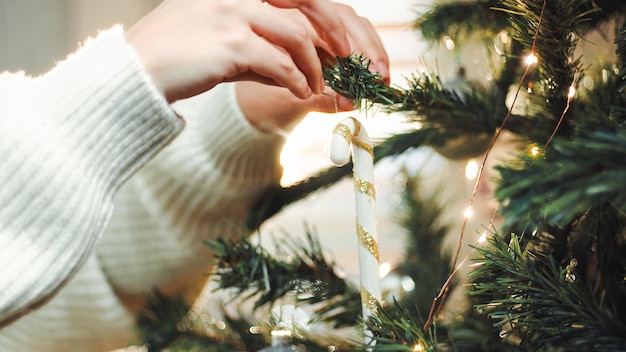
<point x="70" y="139"/>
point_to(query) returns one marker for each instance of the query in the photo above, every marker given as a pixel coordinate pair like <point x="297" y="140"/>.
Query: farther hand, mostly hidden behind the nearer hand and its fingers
<point x="274" y="108"/>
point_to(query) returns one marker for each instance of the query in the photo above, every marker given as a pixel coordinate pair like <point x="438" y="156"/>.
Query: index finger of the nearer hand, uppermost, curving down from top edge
<point x="325" y="20"/>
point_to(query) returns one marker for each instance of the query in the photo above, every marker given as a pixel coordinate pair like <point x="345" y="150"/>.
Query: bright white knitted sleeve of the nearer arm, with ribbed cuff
<point x="70" y="139"/>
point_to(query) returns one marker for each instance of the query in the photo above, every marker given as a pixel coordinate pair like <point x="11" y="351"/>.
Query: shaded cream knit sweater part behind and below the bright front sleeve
<point x="199" y="187"/>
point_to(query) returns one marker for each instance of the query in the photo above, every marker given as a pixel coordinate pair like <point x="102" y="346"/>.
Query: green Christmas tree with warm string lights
<point x="551" y="275"/>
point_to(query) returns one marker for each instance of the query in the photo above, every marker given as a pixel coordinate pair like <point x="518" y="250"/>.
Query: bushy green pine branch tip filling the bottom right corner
<point x="540" y="305"/>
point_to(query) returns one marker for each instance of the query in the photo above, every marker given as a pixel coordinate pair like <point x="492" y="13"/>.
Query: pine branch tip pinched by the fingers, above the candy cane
<point x="426" y="100"/>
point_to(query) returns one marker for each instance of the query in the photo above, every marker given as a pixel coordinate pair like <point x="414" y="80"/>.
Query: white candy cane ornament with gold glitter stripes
<point x="350" y="133"/>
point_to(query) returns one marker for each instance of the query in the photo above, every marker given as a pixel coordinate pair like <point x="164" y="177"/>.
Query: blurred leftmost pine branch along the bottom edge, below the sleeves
<point x="168" y="323"/>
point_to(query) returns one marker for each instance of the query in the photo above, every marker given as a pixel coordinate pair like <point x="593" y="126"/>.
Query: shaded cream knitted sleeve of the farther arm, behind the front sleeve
<point x="200" y="187"/>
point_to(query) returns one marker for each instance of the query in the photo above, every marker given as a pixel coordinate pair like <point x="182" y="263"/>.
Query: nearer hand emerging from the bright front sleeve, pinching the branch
<point x="189" y="46"/>
